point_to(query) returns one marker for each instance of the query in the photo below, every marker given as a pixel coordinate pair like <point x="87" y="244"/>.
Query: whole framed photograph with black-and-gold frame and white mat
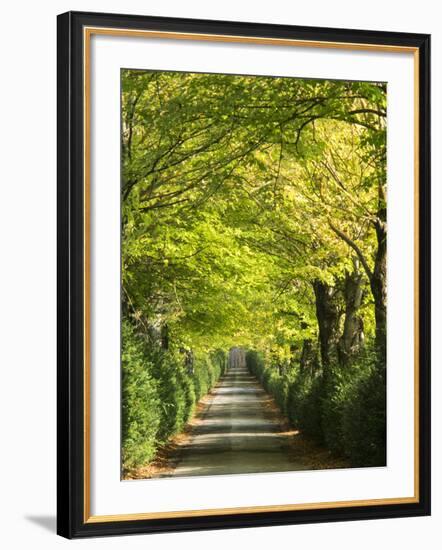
<point x="243" y="274"/>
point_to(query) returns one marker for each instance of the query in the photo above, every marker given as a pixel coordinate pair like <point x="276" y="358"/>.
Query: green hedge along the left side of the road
<point x="159" y="393"/>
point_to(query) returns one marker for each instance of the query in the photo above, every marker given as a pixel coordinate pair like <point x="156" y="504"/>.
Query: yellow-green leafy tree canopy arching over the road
<point x="242" y="192"/>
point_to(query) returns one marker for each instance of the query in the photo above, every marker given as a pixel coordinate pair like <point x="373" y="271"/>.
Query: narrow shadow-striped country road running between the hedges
<point x="236" y="433"/>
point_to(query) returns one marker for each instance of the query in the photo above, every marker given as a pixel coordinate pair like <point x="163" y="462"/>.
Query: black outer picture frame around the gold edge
<point x="71" y="507"/>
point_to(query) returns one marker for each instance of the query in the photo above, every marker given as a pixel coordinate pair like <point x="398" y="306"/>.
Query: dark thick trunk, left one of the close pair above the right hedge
<point x="327" y="313"/>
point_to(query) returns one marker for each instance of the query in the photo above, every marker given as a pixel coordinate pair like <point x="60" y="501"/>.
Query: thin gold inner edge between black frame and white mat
<point x="87" y="34"/>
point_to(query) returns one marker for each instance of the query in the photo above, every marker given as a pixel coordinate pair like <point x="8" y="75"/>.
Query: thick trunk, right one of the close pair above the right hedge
<point x="353" y="332"/>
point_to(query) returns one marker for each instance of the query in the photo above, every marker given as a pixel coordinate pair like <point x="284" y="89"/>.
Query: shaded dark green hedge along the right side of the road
<point x="344" y="410"/>
